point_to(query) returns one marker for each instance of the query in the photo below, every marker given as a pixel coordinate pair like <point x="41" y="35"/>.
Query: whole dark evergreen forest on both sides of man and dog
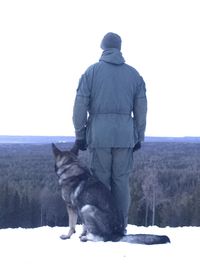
<point x="165" y="185"/>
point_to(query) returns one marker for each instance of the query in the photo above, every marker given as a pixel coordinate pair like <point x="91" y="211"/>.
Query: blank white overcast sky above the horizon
<point x="46" y="45"/>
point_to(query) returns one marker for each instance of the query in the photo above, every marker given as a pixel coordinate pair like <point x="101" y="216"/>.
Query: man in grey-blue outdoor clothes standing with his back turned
<point x="110" y="118"/>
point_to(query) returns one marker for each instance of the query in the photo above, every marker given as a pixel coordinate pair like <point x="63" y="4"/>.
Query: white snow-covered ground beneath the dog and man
<point x="43" y="247"/>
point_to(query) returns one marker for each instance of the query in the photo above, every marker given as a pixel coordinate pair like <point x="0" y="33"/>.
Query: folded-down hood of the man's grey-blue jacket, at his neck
<point x="113" y="56"/>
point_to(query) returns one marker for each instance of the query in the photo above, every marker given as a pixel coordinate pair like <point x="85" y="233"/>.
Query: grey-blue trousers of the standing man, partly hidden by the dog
<point x="113" y="166"/>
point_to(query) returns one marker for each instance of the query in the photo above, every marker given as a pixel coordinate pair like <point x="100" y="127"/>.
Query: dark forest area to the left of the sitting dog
<point x="29" y="191"/>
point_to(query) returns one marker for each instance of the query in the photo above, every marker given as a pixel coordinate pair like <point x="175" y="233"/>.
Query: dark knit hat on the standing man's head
<point x="111" y="40"/>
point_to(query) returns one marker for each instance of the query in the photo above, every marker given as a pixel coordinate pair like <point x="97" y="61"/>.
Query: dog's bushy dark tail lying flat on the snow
<point x="145" y="239"/>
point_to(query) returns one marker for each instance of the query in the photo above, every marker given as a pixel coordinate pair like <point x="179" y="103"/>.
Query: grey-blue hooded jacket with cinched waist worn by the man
<point x="110" y="106"/>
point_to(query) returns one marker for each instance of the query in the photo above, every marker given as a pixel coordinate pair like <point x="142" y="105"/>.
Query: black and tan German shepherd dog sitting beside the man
<point x="86" y="197"/>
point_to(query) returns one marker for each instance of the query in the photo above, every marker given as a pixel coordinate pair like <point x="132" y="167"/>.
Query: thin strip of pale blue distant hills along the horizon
<point x="69" y="139"/>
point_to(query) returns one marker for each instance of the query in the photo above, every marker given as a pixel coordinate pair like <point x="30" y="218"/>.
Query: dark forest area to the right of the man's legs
<point x="166" y="185"/>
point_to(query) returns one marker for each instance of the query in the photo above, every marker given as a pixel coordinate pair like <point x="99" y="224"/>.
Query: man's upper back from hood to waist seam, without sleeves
<point x="114" y="85"/>
